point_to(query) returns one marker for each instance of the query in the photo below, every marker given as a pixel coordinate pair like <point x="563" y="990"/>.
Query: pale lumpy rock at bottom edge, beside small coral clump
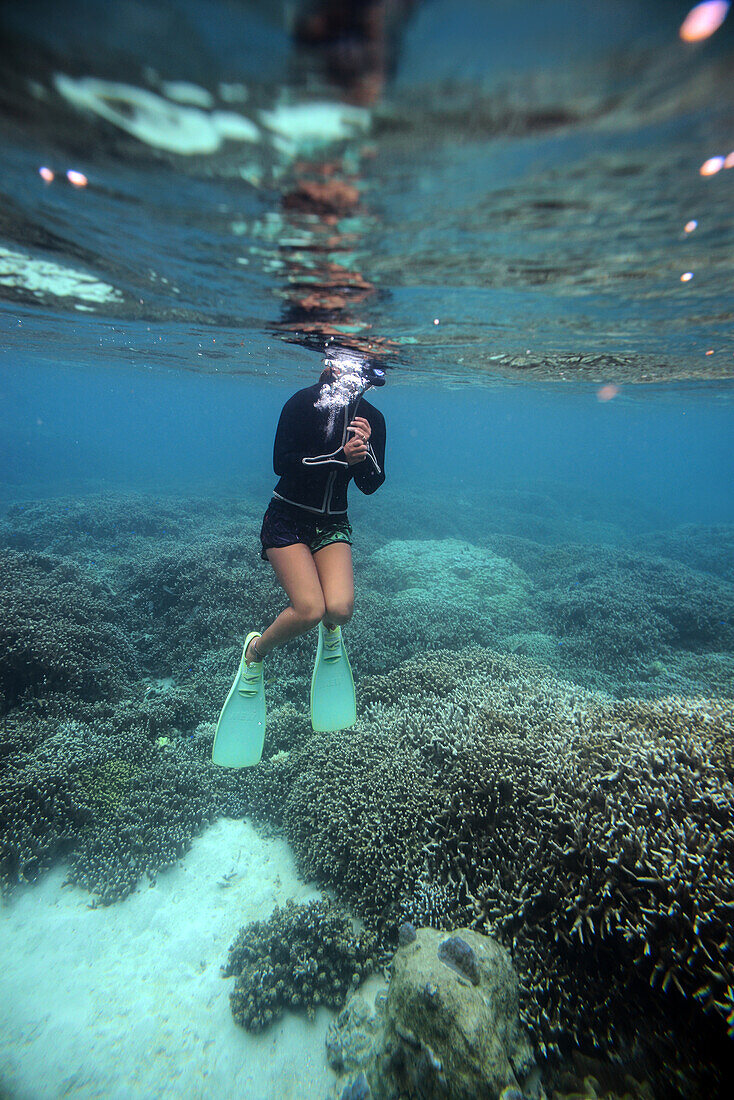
<point x="448" y="1027"/>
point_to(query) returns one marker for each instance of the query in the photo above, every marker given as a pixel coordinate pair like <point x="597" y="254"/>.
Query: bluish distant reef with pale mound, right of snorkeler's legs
<point x="626" y="621"/>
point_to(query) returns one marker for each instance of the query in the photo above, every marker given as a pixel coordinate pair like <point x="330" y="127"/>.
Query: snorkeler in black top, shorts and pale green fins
<point x="327" y="436"/>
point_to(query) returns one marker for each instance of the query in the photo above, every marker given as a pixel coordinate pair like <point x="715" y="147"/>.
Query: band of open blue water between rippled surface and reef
<point x="670" y="452"/>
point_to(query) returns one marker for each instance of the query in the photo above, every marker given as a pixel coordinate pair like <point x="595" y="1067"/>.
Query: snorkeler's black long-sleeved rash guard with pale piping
<point x="310" y="459"/>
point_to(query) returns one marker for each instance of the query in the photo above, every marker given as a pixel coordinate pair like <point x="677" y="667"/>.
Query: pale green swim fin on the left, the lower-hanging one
<point x="242" y="728"/>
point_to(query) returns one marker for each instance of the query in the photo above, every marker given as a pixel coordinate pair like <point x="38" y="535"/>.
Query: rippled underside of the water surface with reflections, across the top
<point x="522" y="174"/>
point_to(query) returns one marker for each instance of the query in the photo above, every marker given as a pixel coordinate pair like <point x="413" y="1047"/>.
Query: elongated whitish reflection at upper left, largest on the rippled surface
<point x="155" y="120"/>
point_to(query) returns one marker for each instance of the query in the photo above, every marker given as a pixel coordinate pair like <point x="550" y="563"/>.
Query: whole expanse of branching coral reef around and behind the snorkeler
<point x="544" y="752"/>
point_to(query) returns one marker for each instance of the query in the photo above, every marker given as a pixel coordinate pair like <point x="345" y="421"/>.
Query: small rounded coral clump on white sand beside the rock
<point x="302" y="958"/>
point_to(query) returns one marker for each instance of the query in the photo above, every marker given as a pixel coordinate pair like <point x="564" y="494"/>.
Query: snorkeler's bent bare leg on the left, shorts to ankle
<point x="297" y="573"/>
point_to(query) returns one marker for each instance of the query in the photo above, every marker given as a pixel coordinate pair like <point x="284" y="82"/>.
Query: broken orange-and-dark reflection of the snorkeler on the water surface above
<point x="324" y="292"/>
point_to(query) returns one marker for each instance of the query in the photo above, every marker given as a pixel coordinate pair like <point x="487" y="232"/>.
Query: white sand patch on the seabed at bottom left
<point x="128" y="1002"/>
